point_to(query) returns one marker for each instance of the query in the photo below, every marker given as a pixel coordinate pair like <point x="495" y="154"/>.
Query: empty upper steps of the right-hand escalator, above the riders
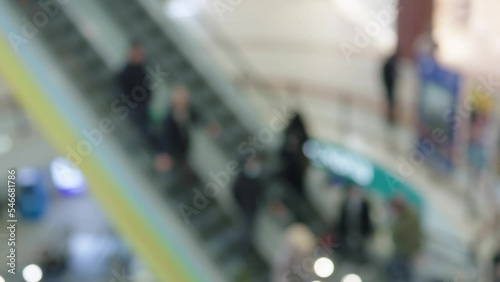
<point x="172" y="57"/>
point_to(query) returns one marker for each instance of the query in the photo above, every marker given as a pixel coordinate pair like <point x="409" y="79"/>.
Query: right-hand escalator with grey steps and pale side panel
<point x="162" y="39"/>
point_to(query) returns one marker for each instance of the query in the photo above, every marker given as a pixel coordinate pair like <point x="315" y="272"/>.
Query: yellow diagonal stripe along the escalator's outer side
<point x="142" y="237"/>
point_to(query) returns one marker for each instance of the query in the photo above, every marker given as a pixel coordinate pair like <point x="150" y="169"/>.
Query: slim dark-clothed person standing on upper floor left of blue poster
<point x="389" y="71"/>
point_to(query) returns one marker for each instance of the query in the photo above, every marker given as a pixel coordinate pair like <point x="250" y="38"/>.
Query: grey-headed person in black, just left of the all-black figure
<point x="247" y="191"/>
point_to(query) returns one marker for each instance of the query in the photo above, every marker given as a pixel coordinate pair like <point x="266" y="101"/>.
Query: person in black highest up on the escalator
<point x="133" y="78"/>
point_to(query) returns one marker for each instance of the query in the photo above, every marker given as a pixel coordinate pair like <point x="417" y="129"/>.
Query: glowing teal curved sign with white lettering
<point x="346" y="163"/>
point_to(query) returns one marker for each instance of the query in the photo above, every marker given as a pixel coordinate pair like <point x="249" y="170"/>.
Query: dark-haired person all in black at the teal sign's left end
<point x="295" y="161"/>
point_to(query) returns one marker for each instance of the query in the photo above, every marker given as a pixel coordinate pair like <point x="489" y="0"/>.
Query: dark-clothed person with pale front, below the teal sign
<point x="354" y="226"/>
